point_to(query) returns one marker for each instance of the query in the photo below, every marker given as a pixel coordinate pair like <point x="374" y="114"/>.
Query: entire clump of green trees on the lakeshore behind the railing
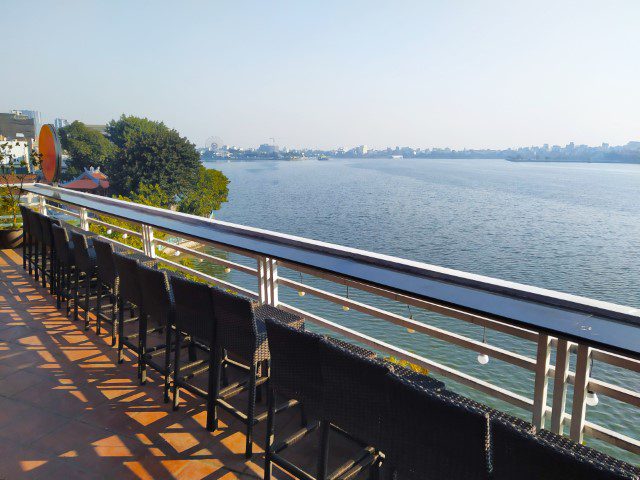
<point x="141" y="156"/>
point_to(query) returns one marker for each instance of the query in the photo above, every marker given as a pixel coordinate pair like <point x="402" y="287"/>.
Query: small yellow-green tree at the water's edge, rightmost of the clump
<point x="209" y="193"/>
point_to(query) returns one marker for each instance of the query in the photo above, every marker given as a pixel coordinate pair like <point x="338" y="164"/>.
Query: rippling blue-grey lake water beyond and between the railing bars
<point x="567" y="227"/>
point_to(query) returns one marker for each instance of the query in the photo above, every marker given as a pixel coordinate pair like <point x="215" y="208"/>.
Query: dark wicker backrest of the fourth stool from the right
<point x="295" y="364"/>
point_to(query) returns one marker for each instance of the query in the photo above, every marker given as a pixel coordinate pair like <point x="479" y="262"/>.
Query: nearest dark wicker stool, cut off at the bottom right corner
<point x="518" y="453"/>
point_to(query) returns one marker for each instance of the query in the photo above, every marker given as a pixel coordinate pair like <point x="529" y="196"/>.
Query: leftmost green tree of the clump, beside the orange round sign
<point x="86" y="148"/>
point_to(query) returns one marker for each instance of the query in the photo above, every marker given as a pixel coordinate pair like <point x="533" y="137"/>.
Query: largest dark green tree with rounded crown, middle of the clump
<point x="150" y="153"/>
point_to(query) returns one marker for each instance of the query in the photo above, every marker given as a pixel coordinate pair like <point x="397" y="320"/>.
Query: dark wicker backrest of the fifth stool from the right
<point x="236" y="329"/>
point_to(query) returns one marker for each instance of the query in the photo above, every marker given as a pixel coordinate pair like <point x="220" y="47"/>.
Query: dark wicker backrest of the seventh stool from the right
<point x="157" y="297"/>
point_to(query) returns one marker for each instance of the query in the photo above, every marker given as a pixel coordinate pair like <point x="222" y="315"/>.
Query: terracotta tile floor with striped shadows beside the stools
<point x="68" y="410"/>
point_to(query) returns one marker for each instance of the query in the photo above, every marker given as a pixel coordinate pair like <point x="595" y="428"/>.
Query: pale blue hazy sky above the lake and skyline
<point x="324" y="74"/>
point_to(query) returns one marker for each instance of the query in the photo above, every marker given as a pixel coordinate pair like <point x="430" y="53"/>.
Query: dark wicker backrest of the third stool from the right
<point x="353" y="388"/>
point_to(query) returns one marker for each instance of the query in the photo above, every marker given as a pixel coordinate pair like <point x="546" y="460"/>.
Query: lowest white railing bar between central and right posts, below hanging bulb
<point x="460" y="377"/>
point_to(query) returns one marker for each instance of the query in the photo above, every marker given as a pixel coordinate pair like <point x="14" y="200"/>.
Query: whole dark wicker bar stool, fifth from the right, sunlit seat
<point x="241" y="334"/>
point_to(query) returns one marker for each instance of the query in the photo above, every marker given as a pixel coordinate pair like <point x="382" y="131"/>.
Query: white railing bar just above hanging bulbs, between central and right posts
<point x="496" y="352"/>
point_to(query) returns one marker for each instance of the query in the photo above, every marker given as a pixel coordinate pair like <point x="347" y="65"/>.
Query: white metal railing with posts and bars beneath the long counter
<point x="550" y="365"/>
